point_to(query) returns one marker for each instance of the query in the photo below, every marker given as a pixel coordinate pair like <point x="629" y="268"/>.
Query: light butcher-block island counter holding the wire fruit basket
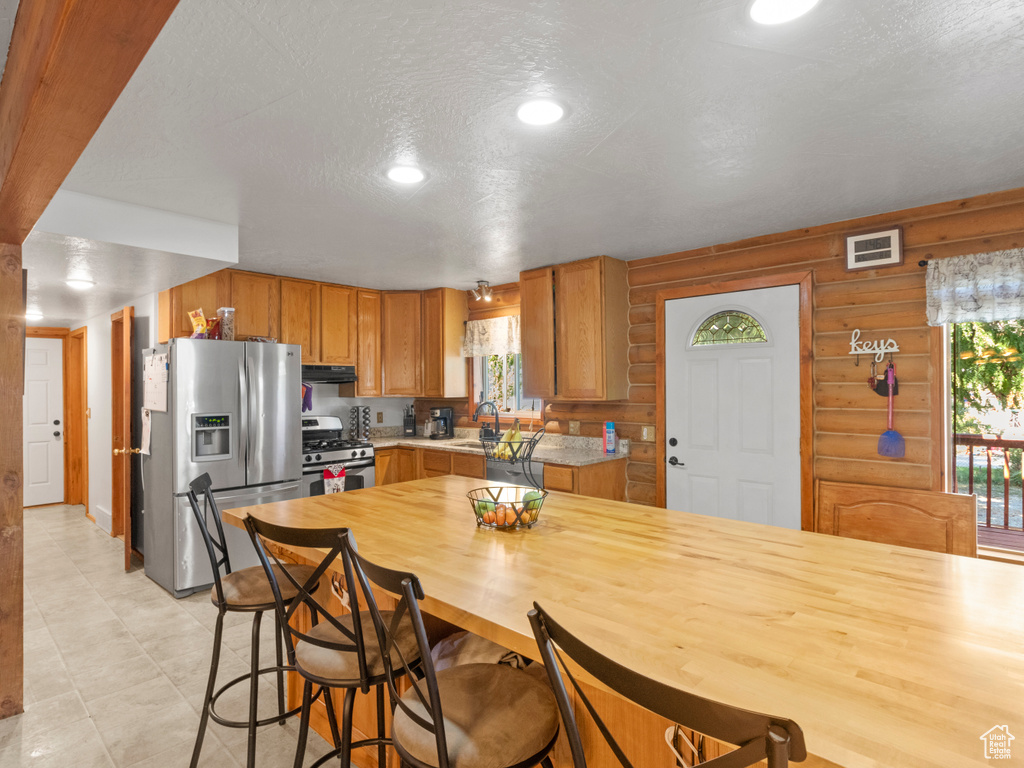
<point x="884" y="656"/>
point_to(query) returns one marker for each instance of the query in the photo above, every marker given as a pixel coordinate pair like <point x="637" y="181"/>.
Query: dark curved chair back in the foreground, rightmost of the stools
<point x="758" y="737"/>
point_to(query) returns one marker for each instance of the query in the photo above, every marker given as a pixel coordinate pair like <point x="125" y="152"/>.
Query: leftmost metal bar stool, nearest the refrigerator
<point x="245" y="591"/>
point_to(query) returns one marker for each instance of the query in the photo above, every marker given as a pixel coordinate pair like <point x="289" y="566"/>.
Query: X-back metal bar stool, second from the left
<point x="334" y="652"/>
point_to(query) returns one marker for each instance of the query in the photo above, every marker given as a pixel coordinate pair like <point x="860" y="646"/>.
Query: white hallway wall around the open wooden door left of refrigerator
<point x="101" y="425"/>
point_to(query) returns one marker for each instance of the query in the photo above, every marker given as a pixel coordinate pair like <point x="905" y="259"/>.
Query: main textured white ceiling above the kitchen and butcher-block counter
<point x="688" y="125"/>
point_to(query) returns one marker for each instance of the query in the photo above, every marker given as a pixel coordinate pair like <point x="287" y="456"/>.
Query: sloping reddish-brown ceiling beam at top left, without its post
<point x="68" y="64"/>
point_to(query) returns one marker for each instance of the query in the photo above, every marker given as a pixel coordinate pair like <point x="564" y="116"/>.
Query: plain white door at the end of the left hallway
<point x="44" y="421"/>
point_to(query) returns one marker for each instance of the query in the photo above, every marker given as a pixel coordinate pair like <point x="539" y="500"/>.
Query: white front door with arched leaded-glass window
<point x="733" y="408"/>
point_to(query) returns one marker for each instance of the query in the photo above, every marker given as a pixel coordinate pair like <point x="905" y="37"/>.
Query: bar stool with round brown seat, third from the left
<point x="468" y="716"/>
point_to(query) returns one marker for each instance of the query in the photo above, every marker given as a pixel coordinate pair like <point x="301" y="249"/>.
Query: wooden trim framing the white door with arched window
<point x="803" y="281"/>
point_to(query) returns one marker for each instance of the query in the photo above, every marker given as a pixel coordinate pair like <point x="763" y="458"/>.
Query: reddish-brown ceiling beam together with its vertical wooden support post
<point x="69" y="62"/>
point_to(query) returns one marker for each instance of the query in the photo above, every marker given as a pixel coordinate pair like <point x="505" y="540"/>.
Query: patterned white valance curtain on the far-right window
<point x="979" y="288"/>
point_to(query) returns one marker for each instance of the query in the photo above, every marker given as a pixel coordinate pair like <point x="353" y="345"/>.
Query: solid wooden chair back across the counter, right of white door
<point x="922" y="520"/>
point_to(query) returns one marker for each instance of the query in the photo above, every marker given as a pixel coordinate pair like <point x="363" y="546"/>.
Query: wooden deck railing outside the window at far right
<point x="993" y="451"/>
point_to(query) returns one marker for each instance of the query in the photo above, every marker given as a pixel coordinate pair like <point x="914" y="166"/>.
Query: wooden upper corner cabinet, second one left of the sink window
<point x="402" y="344"/>
